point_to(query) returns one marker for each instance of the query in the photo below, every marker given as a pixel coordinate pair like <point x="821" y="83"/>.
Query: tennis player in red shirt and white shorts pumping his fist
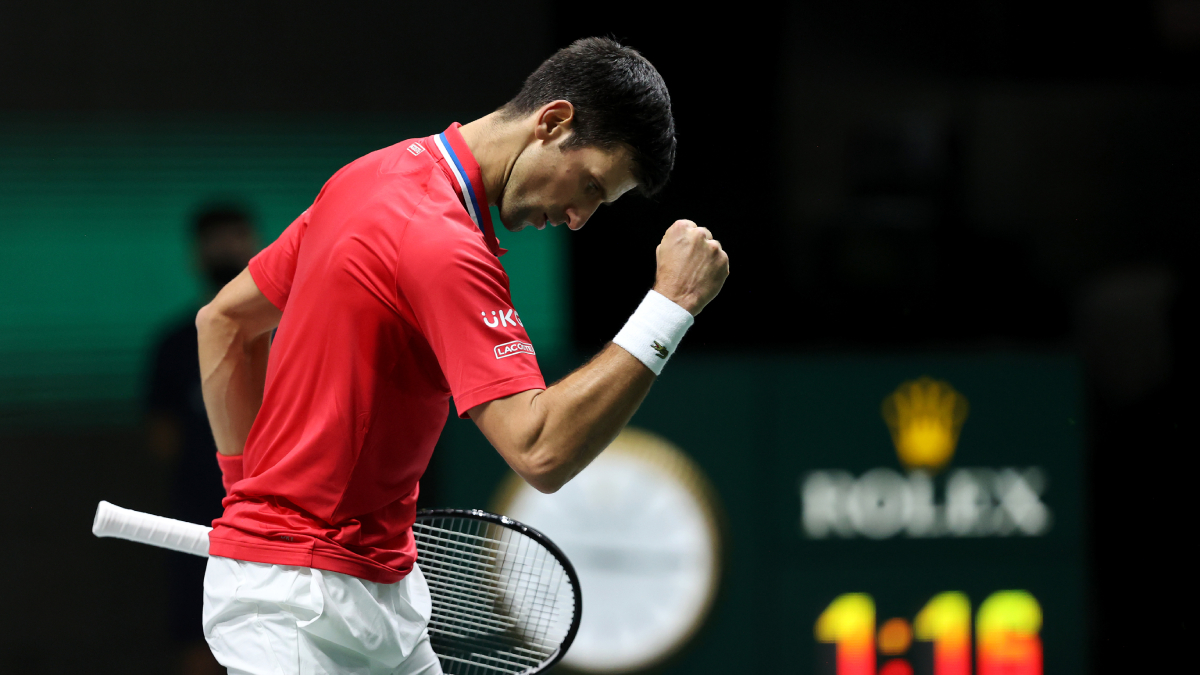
<point x="389" y="300"/>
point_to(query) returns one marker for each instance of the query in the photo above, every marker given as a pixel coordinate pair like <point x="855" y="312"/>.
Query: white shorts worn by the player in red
<point x="280" y="620"/>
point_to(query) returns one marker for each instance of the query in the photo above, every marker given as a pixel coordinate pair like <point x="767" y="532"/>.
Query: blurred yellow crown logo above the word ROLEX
<point x="926" y="417"/>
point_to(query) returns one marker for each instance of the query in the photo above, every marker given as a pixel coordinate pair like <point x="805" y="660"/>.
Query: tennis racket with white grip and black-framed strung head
<point x="506" y="599"/>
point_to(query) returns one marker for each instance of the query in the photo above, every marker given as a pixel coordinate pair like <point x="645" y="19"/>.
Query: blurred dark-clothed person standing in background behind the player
<point x="224" y="241"/>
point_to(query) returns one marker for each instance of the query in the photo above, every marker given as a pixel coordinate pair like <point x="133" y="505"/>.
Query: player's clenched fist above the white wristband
<point x="693" y="266"/>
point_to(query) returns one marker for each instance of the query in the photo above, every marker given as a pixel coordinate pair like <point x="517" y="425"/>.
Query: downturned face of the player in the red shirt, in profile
<point x="551" y="187"/>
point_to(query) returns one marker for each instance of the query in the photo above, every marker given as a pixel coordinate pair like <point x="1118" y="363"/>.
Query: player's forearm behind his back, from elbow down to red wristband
<point x="233" y="373"/>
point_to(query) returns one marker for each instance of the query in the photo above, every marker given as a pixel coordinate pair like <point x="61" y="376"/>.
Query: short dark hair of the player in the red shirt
<point x="619" y="98"/>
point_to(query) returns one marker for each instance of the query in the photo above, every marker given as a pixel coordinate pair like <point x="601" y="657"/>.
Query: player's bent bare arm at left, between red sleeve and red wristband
<point x="235" y="333"/>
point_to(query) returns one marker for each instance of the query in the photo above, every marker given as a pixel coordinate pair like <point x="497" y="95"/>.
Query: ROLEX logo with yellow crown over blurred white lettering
<point x="925" y="417"/>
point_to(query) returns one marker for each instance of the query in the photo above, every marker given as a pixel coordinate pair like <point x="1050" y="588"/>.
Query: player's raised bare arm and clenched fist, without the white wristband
<point x="548" y="437"/>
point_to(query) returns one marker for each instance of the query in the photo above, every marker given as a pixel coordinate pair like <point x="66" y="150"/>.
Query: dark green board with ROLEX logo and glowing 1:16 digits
<point x="940" y="529"/>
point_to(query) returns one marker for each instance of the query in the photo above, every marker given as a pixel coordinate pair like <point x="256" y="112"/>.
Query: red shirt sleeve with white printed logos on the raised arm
<point x="460" y="297"/>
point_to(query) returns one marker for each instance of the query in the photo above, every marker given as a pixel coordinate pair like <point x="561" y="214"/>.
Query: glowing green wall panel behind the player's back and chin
<point x="94" y="242"/>
